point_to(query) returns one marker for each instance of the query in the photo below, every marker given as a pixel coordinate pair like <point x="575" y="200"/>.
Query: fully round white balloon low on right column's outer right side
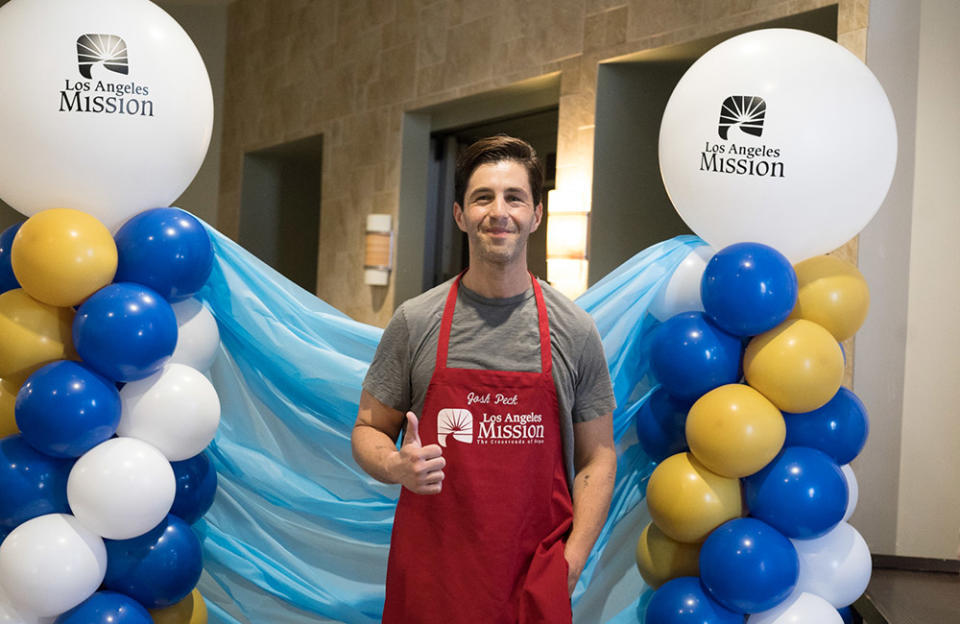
<point x="835" y="566"/>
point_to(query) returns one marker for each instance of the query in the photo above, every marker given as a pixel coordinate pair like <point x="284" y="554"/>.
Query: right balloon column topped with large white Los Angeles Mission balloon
<point x="750" y="425"/>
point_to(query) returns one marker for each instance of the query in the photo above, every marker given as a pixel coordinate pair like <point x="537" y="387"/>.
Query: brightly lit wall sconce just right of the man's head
<point x="568" y="226"/>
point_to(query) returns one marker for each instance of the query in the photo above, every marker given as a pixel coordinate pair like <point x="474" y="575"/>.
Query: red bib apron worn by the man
<point x="489" y="548"/>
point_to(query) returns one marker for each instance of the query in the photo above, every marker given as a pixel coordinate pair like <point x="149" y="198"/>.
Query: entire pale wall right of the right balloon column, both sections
<point x="908" y="352"/>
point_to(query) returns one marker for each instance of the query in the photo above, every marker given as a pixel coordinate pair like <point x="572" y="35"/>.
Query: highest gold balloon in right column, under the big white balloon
<point x="832" y="293"/>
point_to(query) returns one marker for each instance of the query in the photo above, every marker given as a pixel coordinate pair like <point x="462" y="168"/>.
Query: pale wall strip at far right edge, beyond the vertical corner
<point x="928" y="518"/>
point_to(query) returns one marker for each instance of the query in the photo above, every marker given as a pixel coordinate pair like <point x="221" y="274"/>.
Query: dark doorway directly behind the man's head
<point x="445" y="253"/>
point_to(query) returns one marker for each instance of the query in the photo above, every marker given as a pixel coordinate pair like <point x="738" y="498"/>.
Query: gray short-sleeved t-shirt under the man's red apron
<point x="494" y="334"/>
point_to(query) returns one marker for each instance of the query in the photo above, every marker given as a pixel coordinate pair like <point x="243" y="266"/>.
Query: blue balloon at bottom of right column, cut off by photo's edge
<point x="684" y="601"/>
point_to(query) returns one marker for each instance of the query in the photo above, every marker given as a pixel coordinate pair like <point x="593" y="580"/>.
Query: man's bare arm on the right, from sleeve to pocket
<point x="595" y="464"/>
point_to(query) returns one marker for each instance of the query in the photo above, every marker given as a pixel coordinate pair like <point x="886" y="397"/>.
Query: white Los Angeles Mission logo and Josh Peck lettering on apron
<point x="496" y="424"/>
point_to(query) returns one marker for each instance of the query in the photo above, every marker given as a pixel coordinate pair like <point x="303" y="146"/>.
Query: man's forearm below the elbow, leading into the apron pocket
<point x="592" y="491"/>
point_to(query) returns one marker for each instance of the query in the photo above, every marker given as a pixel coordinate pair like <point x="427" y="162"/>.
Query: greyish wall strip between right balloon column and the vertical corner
<point x="892" y="52"/>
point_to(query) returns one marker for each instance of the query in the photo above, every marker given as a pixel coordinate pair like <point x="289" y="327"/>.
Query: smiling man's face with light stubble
<point x="498" y="214"/>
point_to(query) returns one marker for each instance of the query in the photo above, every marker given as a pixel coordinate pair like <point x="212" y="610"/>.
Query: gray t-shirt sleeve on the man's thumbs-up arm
<point x="388" y="378"/>
